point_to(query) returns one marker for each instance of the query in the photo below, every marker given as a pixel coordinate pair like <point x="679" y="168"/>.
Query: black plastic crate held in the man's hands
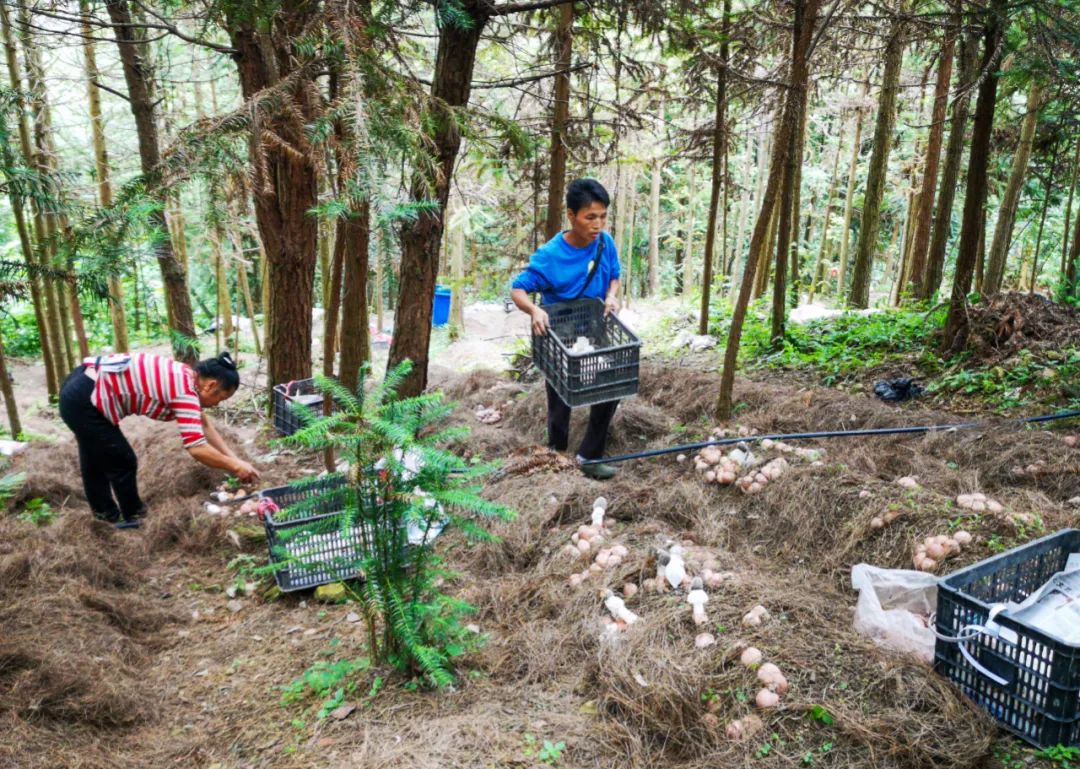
<point x="583" y="380"/>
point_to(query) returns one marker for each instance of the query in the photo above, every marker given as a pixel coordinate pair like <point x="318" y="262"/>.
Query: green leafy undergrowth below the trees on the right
<point x="854" y="350"/>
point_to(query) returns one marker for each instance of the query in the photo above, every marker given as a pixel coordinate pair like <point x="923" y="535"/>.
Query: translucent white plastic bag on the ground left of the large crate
<point x="894" y="609"/>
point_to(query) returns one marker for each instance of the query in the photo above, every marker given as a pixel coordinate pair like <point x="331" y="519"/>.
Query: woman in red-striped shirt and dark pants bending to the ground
<point x="101" y="393"/>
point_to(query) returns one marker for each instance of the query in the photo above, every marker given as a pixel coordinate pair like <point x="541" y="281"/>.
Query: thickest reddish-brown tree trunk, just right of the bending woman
<point x="286" y="185"/>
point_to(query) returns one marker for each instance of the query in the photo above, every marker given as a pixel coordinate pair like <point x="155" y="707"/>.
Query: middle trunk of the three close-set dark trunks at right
<point x="968" y="61"/>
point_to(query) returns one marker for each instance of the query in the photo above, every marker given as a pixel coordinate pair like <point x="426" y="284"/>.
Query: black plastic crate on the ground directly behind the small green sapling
<point x="314" y="528"/>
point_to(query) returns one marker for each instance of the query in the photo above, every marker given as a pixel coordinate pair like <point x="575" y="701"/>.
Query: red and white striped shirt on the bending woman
<point x="151" y="386"/>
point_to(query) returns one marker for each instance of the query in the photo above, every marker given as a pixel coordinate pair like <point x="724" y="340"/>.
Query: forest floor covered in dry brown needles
<point x="123" y="649"/>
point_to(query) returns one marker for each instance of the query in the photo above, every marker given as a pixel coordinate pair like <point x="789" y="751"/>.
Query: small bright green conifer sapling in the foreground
<point x="402" y="489"/>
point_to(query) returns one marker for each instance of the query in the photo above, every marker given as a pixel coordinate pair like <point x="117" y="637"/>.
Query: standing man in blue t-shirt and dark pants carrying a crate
<point x="560" y="272"/>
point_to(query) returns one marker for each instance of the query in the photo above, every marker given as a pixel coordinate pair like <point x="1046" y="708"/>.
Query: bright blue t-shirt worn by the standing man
<point x="559" y="271"/>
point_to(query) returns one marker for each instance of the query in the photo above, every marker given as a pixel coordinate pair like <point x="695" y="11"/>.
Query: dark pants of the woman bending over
<point x="107" y="461"/>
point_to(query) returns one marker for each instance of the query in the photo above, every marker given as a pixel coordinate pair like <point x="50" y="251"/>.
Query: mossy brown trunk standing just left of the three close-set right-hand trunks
<point x="871" y="222"/>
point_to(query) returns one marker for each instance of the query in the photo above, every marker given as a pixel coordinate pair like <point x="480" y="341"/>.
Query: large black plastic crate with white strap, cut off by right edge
<point x="1037" y="692"/>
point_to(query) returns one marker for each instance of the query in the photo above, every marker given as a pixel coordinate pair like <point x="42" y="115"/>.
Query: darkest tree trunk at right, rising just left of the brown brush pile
<point x="956" y="323"/>
